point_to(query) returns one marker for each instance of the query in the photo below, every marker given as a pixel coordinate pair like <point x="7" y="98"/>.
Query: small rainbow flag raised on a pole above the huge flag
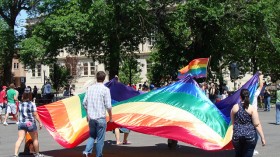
<point x="196" y="68"/>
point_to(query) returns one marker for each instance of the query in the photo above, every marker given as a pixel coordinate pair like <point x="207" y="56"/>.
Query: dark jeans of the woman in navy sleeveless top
<point x="245" y="146"/>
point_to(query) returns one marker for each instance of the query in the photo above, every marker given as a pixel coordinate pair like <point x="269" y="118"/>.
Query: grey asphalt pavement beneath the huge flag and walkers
<point x="142" y="145"/>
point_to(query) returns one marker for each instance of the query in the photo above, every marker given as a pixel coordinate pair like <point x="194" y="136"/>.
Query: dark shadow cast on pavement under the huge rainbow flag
<point x="161" y="149"/>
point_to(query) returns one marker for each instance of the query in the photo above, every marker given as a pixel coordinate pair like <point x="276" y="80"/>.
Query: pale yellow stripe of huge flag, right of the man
<point x="174" y="114"/>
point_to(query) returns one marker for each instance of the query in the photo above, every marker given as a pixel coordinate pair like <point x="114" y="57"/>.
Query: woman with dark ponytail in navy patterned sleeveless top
<point x="246" y="124"/>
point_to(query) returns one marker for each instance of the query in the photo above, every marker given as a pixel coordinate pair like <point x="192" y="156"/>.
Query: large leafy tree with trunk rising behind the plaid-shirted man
<point x="104" y="29"/>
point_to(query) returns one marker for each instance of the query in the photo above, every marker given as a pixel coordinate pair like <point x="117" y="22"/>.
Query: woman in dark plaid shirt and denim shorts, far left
<point x="27" y="116"/>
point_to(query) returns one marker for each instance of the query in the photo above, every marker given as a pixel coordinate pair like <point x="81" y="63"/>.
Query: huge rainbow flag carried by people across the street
<point x="180" y="111"/>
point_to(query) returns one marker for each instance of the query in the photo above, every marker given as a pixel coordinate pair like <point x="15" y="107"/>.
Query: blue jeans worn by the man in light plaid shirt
<point x="97" y="130"/>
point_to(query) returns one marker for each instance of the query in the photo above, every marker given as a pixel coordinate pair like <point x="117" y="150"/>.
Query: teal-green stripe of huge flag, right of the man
<point x="210" y="115"/>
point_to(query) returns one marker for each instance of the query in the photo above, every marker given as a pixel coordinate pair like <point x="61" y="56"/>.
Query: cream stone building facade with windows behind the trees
<point x="82" y="69"/>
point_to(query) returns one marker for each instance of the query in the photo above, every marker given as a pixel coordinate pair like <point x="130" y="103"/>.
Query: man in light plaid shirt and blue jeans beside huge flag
<point x="97" y="101"/>
